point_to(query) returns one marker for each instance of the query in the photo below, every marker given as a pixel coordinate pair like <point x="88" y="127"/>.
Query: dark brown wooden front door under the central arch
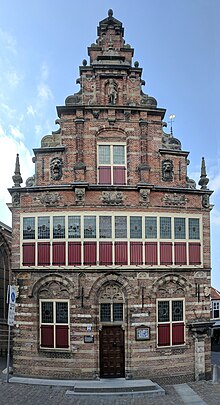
<point x="112" y="352"/>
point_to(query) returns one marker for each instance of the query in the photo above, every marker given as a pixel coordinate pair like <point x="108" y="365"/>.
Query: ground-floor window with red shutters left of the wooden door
<point x="54" y="324"/>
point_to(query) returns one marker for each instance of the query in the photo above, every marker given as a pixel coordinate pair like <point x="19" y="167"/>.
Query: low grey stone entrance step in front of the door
<point x="117" y="386"/>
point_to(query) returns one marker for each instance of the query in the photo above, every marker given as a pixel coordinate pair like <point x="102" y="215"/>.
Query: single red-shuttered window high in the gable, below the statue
<point x="111" y="164"/>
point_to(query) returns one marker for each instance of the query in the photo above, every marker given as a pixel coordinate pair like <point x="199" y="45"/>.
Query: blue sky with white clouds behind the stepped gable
<point x="43" y="42"/>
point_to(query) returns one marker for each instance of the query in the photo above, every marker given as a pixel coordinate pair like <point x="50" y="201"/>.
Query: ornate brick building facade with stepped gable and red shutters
<point x="111" y="239"/>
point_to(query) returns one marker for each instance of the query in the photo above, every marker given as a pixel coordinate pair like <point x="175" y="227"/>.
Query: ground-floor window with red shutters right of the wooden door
<point x="170" y="322"/>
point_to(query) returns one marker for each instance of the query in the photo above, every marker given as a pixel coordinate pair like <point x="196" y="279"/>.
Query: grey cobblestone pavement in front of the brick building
<point x="39" y="395"/>
